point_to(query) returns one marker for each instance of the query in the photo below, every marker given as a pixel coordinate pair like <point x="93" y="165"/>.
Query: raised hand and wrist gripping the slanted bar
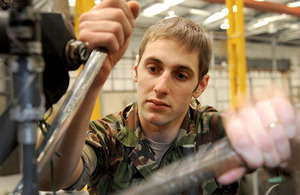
<point x="108" y="26"/>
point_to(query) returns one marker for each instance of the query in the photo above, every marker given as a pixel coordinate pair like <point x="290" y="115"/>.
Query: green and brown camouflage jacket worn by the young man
<point x="124" y="156"/>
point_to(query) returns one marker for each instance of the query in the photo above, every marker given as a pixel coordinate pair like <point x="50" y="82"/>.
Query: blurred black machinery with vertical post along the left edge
<point x="40" y="49"/>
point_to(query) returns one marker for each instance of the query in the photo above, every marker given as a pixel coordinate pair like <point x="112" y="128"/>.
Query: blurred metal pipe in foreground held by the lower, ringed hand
<point x="191" y="171"/>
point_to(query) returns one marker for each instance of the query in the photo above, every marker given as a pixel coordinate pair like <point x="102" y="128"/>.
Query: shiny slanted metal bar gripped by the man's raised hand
<point x="66" y="113"/>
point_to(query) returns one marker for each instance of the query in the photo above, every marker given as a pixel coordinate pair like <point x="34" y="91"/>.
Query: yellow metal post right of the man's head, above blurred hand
<point x="236" y="52"/>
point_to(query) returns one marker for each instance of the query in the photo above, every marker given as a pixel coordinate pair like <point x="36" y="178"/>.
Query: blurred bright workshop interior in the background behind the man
<point x="272" y="53"/>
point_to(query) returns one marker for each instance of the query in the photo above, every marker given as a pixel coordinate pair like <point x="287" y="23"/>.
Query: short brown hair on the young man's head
<point x="193" y="36"/>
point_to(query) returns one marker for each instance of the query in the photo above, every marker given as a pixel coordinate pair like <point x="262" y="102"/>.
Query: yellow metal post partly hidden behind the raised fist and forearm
<point x="81" y="7"/>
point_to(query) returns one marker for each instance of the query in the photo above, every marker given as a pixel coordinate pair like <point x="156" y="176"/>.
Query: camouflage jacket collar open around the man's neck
<point x="131" y="135"/>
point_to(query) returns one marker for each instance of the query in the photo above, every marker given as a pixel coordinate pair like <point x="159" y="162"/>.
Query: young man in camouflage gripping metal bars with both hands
<point x="124" y="148"/>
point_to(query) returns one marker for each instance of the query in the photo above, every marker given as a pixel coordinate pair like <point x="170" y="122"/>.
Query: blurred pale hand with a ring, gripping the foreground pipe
<point x="261" y="135"/>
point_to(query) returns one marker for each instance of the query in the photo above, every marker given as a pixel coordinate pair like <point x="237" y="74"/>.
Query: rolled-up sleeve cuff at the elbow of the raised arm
<point x="89" y="164"/>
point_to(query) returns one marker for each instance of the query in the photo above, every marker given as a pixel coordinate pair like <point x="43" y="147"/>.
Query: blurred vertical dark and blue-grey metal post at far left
<point x="27" y="65"/>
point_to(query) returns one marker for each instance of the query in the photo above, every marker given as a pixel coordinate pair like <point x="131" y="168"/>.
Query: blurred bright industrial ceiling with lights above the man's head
<point x="264" y="20"/>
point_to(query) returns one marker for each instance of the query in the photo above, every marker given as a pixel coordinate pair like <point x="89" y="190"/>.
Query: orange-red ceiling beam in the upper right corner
<point x="266" y="7"/>
